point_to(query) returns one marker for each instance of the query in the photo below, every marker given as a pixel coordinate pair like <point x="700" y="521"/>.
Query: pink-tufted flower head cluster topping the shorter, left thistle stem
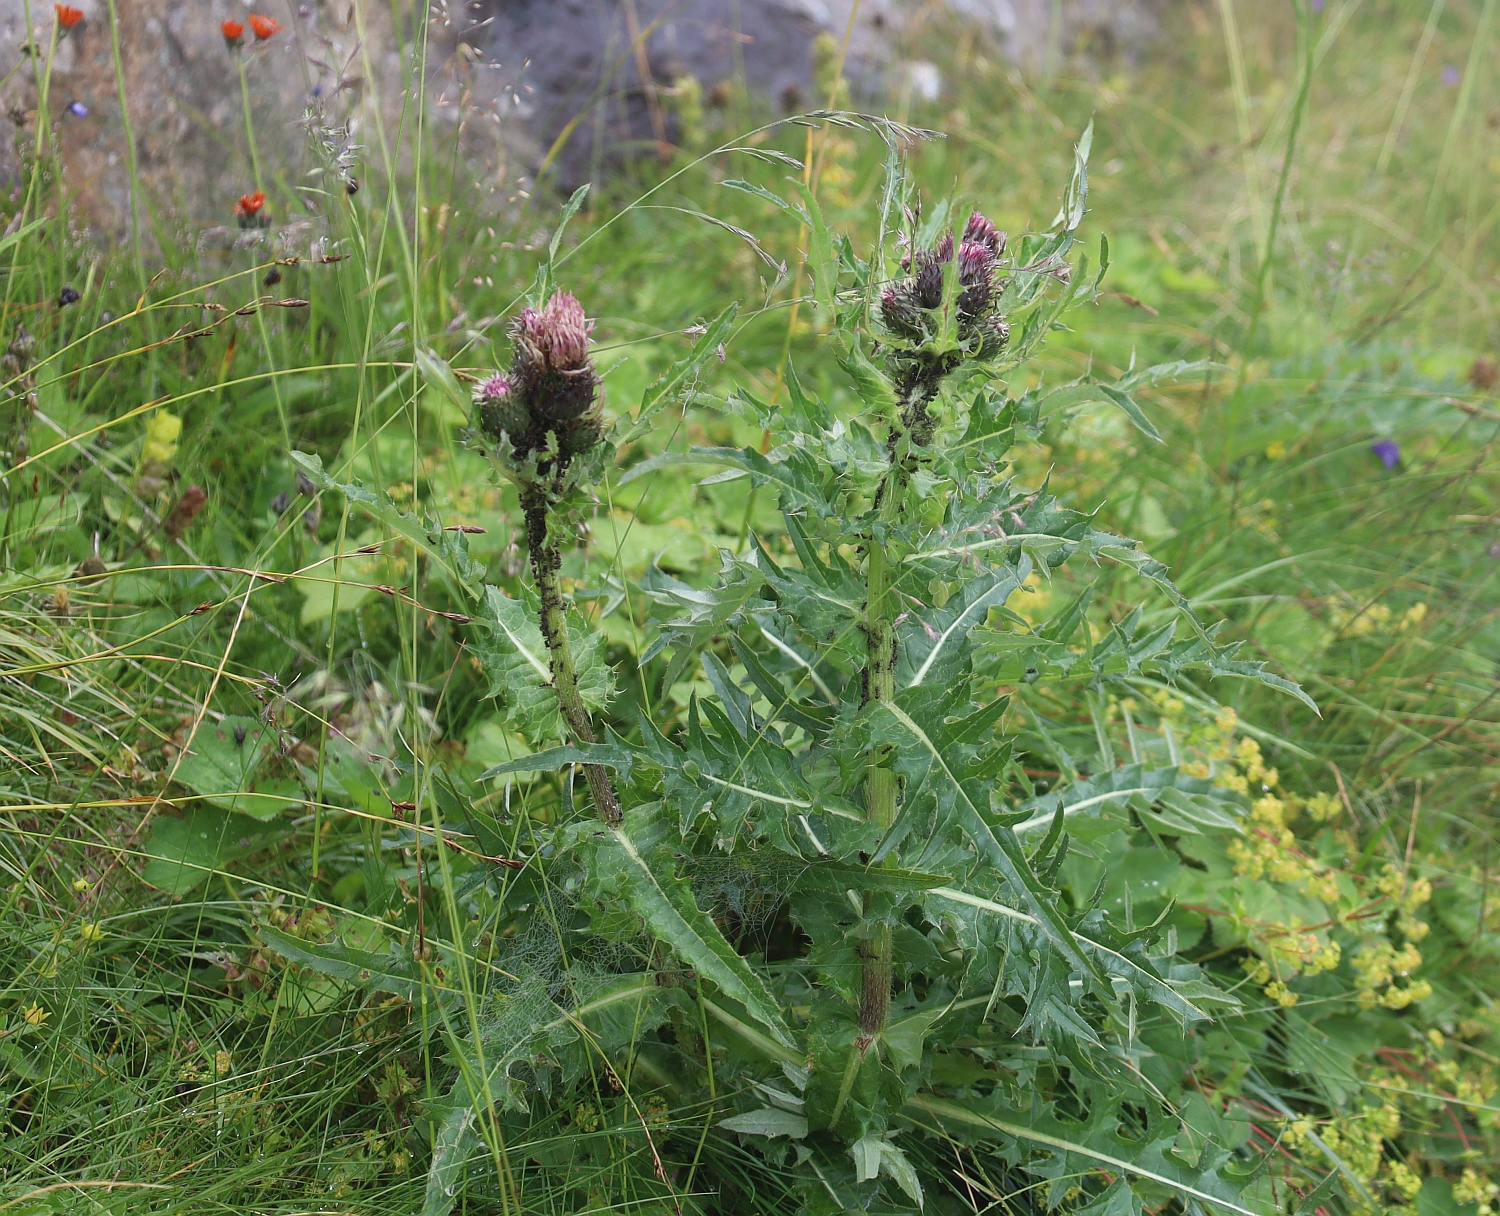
<point x="551" y="389"/>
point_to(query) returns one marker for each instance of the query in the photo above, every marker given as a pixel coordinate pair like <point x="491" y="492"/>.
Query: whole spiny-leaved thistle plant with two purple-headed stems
<point x="862" y="764"/>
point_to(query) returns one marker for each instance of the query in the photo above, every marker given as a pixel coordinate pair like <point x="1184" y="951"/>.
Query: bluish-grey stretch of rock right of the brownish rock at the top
<point x="599" y="73"/>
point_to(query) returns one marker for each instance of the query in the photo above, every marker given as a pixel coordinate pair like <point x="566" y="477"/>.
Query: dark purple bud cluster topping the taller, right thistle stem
<point x="911" y="307"/>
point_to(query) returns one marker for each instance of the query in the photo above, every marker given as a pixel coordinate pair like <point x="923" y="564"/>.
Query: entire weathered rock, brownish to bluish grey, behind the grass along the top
<point x="572" y="85"/>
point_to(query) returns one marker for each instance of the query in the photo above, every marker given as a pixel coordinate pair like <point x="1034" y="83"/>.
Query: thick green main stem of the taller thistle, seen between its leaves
<point x="881" y="785"/>
